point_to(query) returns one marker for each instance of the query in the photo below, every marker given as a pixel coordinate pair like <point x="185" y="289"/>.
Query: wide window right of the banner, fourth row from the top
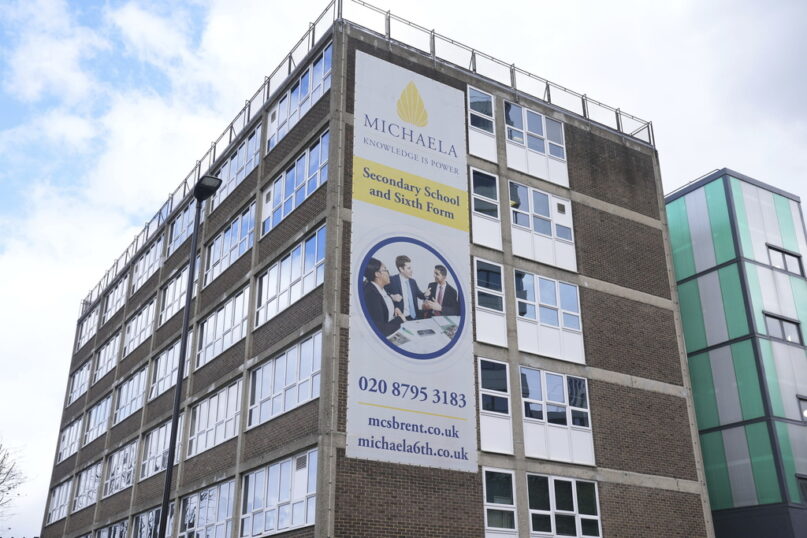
<point x="554" y="398"/>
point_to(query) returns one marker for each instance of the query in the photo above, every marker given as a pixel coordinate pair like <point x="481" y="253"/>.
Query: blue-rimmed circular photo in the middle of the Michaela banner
<point x="411" y="297"/>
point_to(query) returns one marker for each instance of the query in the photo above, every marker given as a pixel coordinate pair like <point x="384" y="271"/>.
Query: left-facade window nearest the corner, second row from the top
<point x="295" y="184"/>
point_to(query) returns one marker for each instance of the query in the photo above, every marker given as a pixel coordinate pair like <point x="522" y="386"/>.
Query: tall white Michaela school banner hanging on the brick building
<point x="410" y="373"/>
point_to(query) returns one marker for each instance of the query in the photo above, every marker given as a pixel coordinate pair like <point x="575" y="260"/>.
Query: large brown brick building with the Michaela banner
<point x="429" y="303"/>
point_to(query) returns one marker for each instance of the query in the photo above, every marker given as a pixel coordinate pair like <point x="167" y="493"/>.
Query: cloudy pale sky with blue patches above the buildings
<point x="106" y="105"/>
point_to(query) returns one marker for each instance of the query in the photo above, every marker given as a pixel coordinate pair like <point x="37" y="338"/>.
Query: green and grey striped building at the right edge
<point x="738" y="247"/>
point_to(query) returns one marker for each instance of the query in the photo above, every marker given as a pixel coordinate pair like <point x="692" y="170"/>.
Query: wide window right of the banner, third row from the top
<point x="549" y="301"/>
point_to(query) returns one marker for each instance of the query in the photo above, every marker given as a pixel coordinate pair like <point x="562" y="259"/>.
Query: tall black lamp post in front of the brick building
<point x="204" y="189"/>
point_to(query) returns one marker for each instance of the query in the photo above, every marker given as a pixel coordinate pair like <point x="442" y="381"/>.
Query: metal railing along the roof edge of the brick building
<point x="402" y="31"/>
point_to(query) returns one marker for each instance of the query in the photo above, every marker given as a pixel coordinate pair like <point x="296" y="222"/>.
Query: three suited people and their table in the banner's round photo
<point x="414" y="320"/>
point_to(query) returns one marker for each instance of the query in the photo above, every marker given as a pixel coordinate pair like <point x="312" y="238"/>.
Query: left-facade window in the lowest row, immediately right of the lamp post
<point x="208" y="512"/>
